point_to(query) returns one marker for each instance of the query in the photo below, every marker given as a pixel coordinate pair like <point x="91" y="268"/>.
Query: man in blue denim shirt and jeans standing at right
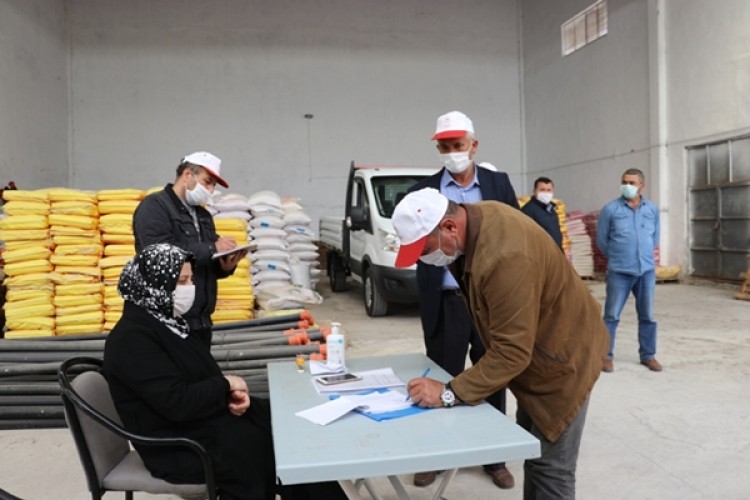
<point x="628" y="234"/>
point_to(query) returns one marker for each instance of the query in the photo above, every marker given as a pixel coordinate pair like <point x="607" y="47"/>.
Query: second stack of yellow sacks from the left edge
<point x="74" y="226"/>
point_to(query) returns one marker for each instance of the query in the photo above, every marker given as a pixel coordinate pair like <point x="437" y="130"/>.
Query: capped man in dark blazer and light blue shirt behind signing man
<point x="448" y="329"/>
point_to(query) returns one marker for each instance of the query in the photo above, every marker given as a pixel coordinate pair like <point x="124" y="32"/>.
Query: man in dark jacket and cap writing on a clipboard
<point x="176" y="215"/>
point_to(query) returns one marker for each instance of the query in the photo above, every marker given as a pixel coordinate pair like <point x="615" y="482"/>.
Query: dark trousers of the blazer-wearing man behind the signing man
<point x="453" y="338"/>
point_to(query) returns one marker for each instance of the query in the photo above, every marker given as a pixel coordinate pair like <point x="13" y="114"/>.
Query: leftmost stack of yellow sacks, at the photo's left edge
<point x="29" y="311"/>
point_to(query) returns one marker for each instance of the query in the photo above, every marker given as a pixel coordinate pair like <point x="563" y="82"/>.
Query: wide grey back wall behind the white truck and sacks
<point x="153" y="81"/>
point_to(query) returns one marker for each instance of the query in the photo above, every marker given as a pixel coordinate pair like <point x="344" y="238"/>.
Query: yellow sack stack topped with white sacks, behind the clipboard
<point x="235" y="300"/>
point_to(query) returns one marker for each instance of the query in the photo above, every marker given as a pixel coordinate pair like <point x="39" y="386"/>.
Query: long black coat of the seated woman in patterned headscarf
<point x="166" y="386"/>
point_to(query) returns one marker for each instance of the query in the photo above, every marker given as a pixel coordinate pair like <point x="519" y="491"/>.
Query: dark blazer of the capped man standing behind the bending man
<point x="493" y="186"/>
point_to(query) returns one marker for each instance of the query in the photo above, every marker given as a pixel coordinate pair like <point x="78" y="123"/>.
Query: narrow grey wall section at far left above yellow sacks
<point x="33" y="93"/>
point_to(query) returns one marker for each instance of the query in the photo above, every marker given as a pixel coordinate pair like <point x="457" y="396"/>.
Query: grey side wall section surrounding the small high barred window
<point x="586" y="114"/>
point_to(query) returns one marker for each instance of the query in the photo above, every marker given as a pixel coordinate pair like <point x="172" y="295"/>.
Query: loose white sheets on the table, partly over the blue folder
<point x="374" y="402"/>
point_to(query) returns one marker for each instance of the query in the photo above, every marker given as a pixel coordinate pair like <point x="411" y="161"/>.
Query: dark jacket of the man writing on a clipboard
<point x="162" y="218"/>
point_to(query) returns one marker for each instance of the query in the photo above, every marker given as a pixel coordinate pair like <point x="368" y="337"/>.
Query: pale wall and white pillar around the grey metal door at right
<point x="708" y="92"/>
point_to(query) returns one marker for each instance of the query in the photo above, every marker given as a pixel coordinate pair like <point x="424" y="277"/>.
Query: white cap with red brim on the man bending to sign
<point x="414" y="218"/>
